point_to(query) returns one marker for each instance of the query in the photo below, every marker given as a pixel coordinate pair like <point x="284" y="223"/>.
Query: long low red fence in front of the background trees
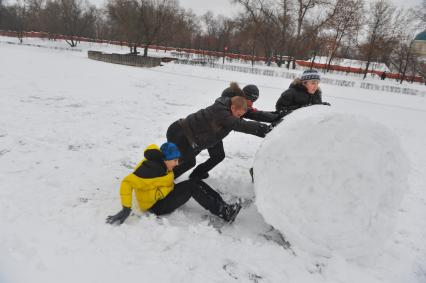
<point x="338" y="68"/>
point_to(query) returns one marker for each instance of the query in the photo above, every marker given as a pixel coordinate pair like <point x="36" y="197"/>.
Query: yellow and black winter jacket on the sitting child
<point x="151" y="181"/>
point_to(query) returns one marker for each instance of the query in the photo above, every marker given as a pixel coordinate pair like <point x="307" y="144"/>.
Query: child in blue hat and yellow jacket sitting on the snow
<point x="153" y="183"/>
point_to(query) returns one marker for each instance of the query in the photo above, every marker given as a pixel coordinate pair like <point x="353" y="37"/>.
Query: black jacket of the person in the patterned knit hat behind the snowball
<point x="297" y="96"/>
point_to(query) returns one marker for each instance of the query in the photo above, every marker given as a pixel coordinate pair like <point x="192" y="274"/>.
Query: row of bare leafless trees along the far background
<point x="281" y="30"/>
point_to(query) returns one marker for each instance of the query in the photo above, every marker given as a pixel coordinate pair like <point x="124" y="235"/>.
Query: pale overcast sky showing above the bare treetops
<point x="225" y="7"/>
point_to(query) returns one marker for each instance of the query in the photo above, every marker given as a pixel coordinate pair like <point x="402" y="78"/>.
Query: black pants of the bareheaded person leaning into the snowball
<point x="176" y="135"/>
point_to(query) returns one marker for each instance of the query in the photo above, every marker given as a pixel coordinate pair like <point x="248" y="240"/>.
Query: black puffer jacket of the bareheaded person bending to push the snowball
<point x="210" y="125"/>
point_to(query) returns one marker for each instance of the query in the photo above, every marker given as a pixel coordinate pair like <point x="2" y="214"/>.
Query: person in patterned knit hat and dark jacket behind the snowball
<point x="302" y="92"/>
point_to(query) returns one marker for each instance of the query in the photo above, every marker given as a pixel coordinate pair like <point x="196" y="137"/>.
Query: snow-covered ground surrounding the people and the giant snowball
<point x="72" y="128"/>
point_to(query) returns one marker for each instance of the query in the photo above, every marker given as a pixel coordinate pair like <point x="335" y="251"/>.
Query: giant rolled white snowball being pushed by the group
<point x="330" y="182"/>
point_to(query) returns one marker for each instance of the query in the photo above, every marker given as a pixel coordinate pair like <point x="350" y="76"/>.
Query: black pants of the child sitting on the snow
<point x="182" y="192"/>
